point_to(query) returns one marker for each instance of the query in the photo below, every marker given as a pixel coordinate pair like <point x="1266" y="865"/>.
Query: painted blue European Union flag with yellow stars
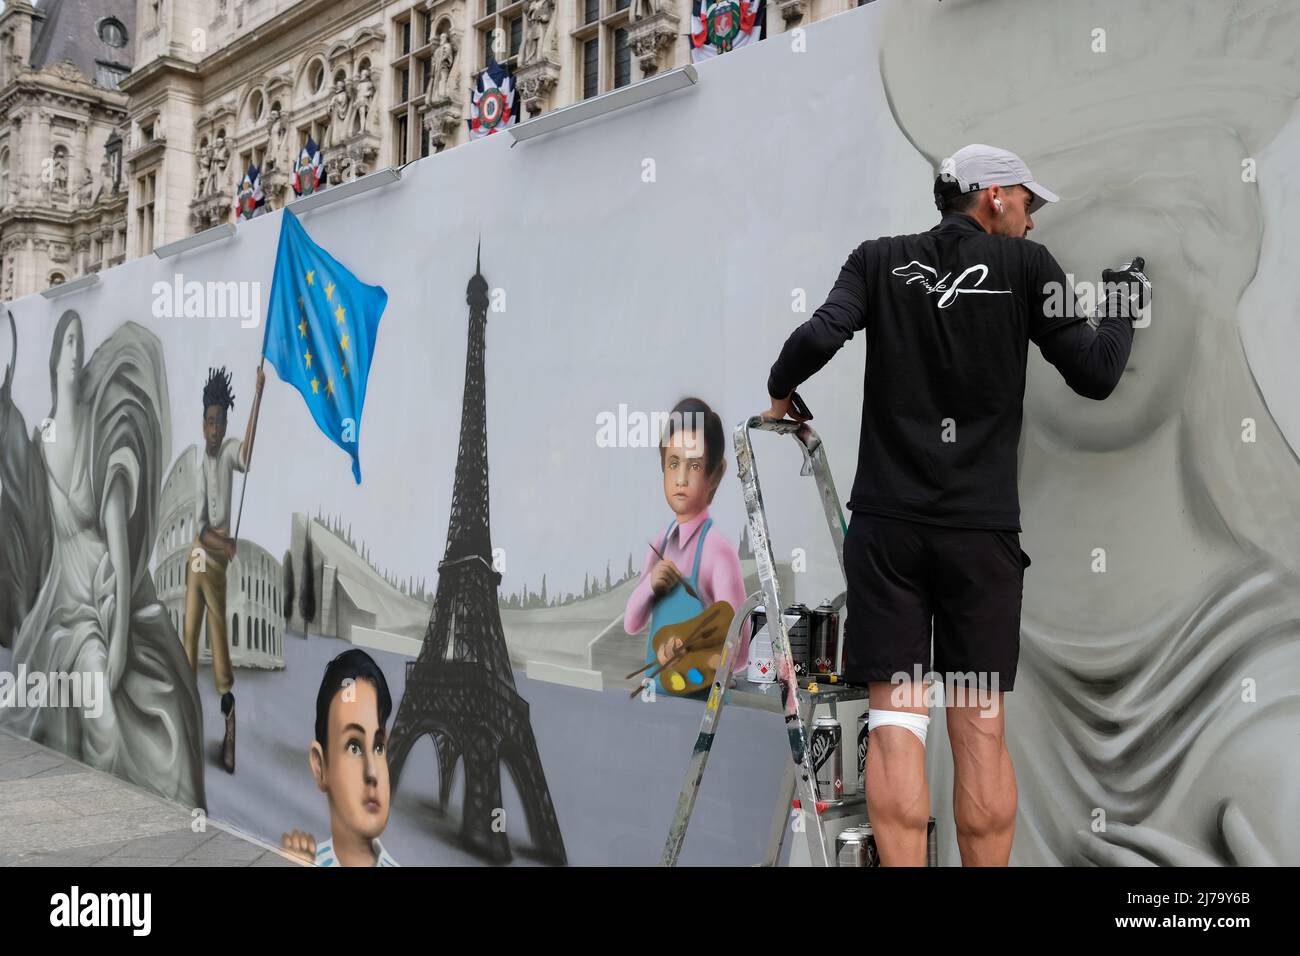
<point x="320" y="334"/>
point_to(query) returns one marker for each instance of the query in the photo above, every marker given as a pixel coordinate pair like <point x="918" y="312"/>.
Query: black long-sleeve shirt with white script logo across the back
<point x="948" y="317"/>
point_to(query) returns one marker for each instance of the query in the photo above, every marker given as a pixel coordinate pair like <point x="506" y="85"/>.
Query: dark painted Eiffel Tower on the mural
<point x="461" y="690"/>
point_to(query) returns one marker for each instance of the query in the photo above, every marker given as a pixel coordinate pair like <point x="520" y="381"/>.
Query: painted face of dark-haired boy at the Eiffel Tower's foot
<point x="356" y="773"/>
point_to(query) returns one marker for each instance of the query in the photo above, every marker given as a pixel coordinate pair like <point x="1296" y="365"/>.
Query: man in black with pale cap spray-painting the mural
<point x="933" y="551"/>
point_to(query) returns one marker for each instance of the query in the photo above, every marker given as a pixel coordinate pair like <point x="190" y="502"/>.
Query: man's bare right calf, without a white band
<point x="985" y="791"/>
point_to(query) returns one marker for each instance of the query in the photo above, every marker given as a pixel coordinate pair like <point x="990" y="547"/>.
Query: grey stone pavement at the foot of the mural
<point x="57" y="812"/>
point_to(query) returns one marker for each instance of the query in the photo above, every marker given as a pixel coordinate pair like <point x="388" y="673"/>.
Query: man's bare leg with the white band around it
<point x="898" y="797"/>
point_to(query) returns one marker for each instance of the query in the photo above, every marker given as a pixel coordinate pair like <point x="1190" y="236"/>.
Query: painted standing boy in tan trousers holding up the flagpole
<point x="214" y="547"/>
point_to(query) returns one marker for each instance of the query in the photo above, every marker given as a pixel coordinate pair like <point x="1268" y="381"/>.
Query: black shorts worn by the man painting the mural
<point x="903" y="573"/>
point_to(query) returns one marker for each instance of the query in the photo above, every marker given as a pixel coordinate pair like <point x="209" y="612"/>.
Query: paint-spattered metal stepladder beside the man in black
<point x="799" y="802"/>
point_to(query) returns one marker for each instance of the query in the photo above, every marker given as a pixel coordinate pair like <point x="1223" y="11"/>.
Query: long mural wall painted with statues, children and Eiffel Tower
<point x="544" y="306"/>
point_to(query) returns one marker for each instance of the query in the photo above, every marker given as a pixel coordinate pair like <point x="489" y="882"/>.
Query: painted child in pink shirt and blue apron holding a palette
<point x="692" y="456"/>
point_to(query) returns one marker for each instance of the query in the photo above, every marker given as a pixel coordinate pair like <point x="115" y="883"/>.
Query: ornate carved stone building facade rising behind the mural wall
<point x="220" y="85"/>
